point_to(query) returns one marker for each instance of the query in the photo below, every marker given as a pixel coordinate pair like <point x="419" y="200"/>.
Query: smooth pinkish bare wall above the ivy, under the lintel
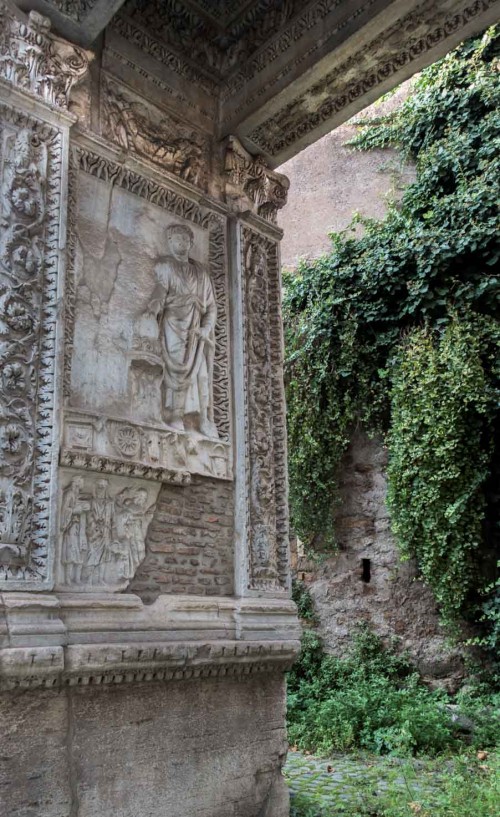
<point x="330" y="181"/>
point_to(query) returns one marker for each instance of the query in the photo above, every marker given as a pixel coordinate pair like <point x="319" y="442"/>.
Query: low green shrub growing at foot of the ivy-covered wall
<point x="371" y="699"/>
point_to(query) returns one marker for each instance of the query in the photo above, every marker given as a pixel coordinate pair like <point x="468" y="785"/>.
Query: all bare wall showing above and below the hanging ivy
<point x="329" y="182"/>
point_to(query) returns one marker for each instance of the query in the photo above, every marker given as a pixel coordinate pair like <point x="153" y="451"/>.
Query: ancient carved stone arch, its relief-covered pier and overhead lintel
<point x="145" y="623"/>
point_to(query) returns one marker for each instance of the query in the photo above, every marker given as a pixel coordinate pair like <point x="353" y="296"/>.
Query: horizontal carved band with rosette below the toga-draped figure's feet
<point x="96" y="443"/>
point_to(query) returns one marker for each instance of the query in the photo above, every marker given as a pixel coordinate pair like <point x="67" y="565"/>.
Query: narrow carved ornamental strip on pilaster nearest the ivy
<point x="267" y="509"/>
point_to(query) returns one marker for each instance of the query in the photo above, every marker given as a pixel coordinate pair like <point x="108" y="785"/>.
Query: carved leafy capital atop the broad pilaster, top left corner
<point x="34" y="59"/>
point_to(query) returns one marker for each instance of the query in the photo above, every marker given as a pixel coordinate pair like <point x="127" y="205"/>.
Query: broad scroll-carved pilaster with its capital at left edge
<point x="37" y="72"/>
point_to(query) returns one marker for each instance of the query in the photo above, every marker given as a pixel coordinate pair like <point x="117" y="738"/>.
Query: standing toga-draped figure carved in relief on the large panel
<point x="183" y="303"/>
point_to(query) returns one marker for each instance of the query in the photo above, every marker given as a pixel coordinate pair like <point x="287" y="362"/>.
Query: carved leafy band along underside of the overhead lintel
<point x="291" y="127"/>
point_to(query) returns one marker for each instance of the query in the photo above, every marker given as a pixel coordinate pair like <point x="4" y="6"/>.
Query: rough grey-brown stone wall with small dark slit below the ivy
<point x="366" y="582"/>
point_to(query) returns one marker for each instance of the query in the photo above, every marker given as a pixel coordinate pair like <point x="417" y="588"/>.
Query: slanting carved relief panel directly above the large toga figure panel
<point x="142" y="129"/>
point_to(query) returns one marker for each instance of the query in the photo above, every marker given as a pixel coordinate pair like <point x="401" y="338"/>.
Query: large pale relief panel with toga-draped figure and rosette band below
<point x="148" y="373"/>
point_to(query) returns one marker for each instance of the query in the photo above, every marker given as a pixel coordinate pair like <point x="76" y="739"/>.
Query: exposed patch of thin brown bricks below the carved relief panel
<point x="189" y="547"/>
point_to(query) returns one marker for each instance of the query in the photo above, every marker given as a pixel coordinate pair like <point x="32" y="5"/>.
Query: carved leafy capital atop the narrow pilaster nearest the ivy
<point x="251" y="184"/>
